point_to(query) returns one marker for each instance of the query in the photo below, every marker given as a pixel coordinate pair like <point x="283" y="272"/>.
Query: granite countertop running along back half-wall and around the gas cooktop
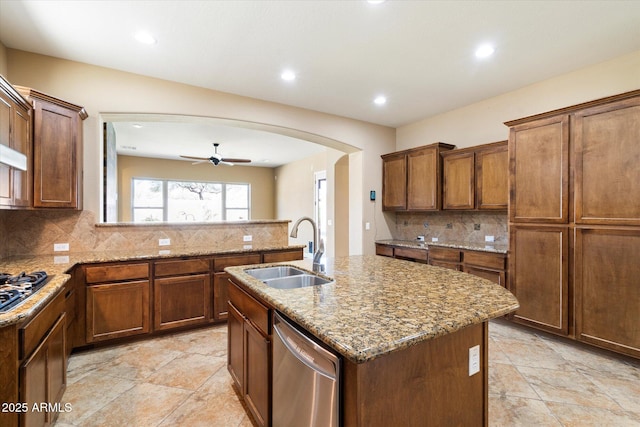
<point x="58" y="268"/>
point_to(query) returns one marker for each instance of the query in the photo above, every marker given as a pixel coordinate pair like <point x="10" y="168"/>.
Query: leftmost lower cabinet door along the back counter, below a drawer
<point x="117" y="310"/>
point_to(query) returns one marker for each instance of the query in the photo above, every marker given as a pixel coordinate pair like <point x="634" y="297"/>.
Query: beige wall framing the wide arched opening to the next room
<point x="101" y="90"/>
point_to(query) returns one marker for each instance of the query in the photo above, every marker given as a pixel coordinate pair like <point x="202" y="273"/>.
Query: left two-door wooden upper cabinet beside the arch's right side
<point x="411" y="179"/>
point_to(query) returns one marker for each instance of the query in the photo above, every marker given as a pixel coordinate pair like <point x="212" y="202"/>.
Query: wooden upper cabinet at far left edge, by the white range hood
<point x="15" y="133"/>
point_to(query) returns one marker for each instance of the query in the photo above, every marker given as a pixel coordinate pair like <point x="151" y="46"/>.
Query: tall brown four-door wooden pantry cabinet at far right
<point x="574" y="221"/>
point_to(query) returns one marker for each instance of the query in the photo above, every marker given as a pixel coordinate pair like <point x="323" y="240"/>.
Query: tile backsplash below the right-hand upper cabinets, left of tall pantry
<point x="468" y="226"/>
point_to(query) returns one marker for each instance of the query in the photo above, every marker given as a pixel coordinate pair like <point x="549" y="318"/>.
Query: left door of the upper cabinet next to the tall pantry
<point x="458" y="180"/>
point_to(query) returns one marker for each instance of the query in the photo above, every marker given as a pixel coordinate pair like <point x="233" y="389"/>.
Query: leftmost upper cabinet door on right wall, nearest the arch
<point x="394" y="182"/>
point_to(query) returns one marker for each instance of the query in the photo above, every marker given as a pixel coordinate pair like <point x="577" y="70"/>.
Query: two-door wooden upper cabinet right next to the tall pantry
<point x="476" y="177"/>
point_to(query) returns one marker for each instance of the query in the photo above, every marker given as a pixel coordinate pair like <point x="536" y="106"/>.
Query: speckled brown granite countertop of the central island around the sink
<point x="378" y="304"/>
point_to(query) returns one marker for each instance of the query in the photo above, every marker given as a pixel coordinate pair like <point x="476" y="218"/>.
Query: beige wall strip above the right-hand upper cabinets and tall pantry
<point x="482" y="122"/>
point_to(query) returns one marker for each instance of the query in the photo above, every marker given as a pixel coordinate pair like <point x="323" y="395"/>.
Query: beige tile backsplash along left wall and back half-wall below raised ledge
<point x="34" y="232"/>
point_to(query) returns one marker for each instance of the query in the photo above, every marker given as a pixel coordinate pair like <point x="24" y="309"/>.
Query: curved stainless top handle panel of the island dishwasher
<point x="305" y="349"/>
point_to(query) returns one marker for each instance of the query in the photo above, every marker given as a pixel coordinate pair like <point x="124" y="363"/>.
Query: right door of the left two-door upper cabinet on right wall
<point x="423" y="179"/>
